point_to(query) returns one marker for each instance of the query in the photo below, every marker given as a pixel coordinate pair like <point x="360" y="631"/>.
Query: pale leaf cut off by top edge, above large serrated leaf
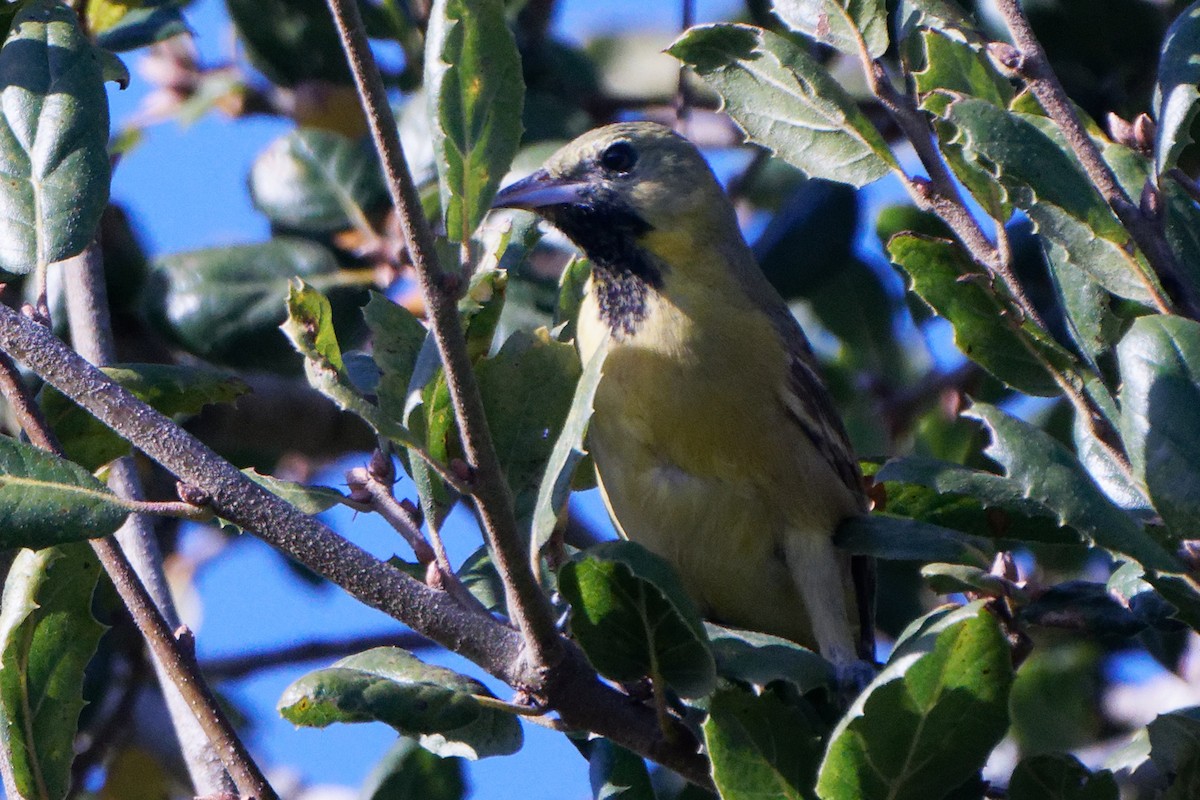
<point x="847" y="26"/>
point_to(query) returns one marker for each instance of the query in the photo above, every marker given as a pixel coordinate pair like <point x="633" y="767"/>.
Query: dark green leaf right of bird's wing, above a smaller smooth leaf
<point x="968" y="500"/>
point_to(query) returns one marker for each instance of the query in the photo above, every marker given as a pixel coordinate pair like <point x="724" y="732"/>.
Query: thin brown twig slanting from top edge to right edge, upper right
<point x="1034" y="67"/>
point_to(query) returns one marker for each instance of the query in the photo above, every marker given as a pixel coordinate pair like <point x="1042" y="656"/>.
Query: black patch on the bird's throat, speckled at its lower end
<point x="623" y="273"/>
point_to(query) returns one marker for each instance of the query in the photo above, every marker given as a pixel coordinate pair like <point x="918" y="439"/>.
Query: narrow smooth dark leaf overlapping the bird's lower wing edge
<point x="902" y="539"/>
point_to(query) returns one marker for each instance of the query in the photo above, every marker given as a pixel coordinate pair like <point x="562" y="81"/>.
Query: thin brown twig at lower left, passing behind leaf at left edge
<point x="181" y="665"/>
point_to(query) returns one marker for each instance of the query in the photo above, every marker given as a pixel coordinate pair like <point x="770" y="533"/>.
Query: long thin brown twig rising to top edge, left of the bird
<point x="529" y="607"/>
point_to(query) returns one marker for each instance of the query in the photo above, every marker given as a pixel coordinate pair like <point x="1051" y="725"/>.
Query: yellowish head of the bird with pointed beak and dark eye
<point x="627" y="190"/>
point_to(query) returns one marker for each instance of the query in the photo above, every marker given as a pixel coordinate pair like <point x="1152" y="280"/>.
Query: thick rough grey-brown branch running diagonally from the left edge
<point x="571" y="688"/>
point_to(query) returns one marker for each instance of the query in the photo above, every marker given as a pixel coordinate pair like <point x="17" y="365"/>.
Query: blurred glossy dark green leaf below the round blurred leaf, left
<point x="226" y="304"/>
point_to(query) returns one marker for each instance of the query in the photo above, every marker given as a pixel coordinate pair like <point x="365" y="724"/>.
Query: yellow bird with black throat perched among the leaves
<point x="716" y="443"/>
